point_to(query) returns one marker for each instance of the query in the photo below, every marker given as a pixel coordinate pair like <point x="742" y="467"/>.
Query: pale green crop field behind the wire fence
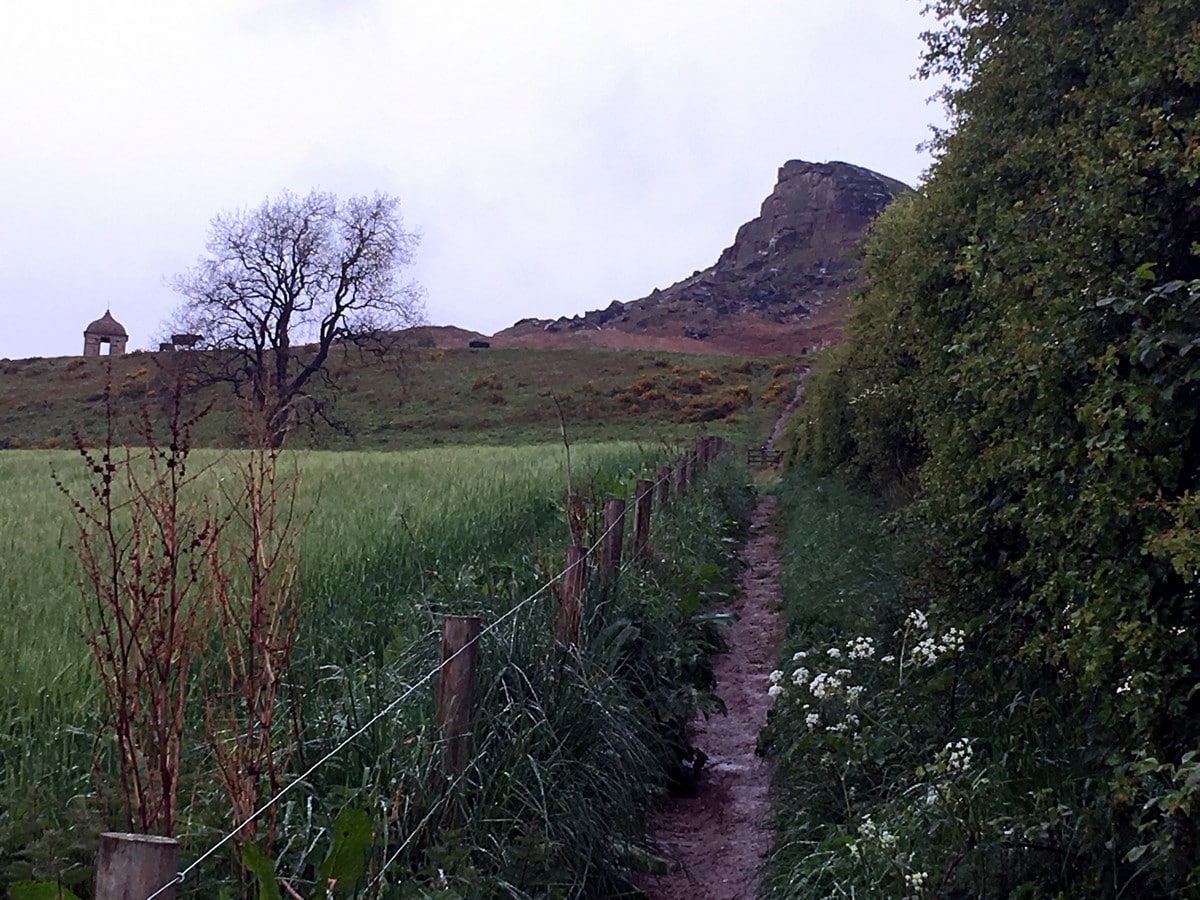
<point x="385" y="537"/>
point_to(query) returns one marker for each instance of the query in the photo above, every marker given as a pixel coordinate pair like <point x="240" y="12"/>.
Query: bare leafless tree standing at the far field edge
<point x="285" y="285"/>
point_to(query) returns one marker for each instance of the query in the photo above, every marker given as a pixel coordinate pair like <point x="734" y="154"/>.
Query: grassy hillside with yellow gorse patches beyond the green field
<point x="428" y="398"/>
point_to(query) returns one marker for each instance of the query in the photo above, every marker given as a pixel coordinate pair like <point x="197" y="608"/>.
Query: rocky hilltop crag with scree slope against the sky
<point x="799" y="257"/>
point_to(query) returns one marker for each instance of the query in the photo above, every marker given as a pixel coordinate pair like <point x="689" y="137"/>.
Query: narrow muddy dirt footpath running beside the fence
<point x="716" y="842"/>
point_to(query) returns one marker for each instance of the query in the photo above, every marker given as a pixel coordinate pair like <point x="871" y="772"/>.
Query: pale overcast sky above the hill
<point x="555" y="155"/>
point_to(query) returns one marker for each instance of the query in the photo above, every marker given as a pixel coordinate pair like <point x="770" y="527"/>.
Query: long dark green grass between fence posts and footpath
<point x="573" y="748"/>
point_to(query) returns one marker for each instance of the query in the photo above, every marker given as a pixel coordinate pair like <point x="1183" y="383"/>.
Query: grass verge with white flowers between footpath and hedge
<point x="896" y="775"/>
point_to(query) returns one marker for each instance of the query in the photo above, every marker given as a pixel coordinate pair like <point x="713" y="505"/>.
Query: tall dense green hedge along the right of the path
<point x="1023" y="368"/>
